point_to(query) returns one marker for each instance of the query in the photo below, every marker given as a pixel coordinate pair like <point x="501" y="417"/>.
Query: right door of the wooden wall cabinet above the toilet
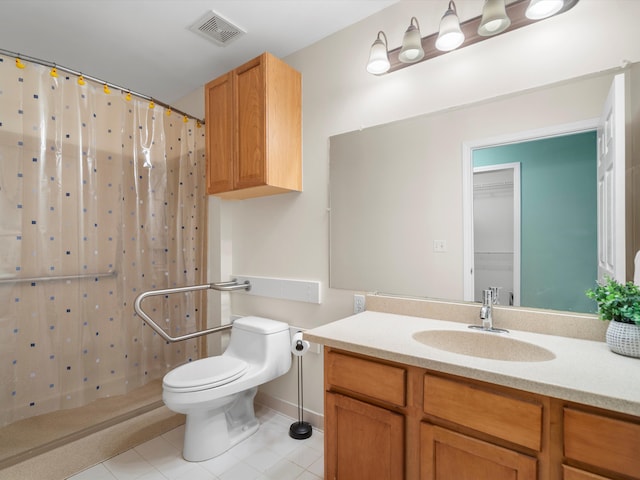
<point x="250" y="168"/>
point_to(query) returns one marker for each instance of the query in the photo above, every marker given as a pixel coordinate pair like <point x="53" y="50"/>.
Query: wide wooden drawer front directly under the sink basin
<point x="493" y="413"/>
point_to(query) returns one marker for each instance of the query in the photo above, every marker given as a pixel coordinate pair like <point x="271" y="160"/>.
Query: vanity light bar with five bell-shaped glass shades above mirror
<point x="498" y="16"/>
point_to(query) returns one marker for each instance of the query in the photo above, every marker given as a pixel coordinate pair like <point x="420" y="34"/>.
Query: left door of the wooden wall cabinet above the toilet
<point x="219" y="134"/>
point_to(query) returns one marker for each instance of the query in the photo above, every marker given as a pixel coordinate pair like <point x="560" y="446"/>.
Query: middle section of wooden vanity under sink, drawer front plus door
<point x="480" y="416"/>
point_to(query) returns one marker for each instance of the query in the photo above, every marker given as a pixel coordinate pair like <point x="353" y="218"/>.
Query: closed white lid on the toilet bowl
<point x="205" y="373"/>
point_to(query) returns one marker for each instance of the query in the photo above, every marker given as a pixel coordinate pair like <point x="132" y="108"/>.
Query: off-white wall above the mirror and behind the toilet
<point x="287" y="235"/>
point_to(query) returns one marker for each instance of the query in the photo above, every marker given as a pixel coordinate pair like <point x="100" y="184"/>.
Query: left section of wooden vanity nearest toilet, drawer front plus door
<point x="364" y="425"/>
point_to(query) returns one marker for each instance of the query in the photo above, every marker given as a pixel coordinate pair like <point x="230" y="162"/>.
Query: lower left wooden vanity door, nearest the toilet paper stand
<point x="362" y="441"/>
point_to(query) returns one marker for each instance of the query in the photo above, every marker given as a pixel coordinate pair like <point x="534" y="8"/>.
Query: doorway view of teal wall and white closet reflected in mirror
<point x="535" y="221"/>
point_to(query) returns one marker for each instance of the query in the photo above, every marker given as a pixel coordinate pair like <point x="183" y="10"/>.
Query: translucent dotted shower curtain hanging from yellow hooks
<point x="102" y="197"/>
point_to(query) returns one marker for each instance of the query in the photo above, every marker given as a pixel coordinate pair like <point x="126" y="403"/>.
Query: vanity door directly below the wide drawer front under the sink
<point x="447" y="455"/>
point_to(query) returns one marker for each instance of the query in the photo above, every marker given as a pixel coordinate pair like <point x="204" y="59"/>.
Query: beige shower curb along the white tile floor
<point x="96" y="447"/>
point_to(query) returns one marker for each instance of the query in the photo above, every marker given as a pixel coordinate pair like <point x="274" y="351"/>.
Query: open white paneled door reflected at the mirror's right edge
<point x="611" y="184"/>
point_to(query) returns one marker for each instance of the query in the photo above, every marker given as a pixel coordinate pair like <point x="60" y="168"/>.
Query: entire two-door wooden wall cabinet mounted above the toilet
<point x="253" y="121"/>
